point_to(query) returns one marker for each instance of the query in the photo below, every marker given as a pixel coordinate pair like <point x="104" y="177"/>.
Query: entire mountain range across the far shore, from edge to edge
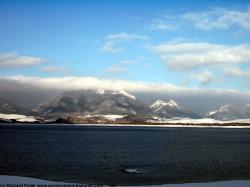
<point x="118" y="102"/>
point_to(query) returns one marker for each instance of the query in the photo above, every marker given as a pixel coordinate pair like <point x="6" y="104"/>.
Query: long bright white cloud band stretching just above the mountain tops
<point x="74" y="83"/>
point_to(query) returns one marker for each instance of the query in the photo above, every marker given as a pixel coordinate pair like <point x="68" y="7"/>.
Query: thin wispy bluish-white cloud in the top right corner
<point x="219" y="18"/>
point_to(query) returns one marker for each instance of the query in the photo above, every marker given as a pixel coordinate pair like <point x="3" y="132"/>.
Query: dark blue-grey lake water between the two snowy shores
<point x="87" y="154"/>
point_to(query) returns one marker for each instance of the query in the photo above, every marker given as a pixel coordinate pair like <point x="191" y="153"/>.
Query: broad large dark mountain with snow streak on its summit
<point x="100" y="102"/>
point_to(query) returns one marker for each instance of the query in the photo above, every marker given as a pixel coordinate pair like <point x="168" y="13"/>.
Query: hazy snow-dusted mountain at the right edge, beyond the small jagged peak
<point x="231" y="112"/>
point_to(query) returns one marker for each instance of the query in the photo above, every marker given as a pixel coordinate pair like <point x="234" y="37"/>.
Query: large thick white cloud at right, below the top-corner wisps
<point x="189" y="55"/>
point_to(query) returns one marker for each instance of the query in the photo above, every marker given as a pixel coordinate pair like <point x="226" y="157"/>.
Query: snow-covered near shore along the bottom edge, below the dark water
<point x="5" y="179"/>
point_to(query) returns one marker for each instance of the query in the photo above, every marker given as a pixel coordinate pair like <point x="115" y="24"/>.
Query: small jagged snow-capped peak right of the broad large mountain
<point x="171" y="109"/>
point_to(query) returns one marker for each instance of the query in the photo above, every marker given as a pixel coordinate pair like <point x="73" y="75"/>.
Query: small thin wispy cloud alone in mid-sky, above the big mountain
<point x="112" y="41"/>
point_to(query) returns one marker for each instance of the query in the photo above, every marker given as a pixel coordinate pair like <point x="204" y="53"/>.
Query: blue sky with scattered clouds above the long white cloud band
<point x="202" y="44"/>
